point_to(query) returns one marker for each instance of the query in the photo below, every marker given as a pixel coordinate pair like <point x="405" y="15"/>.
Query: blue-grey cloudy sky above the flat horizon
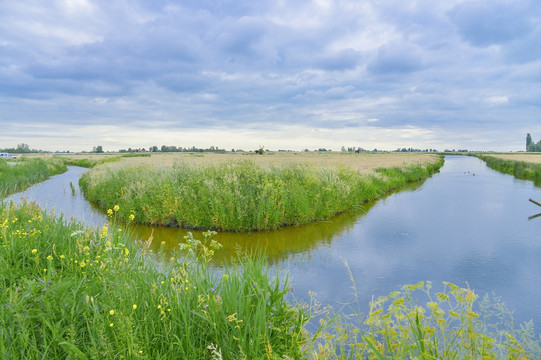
<point x="284" y="74"/>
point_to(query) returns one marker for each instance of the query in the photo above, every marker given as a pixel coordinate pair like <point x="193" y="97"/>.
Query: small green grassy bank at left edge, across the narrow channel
<point x="25" y="172"/>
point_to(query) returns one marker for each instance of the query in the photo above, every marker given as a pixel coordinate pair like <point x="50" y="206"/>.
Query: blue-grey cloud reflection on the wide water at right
<point x="450" y="237"/>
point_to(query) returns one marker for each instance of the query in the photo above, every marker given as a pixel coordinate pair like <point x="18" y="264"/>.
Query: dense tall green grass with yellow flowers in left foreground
<point x="72" y="292"/>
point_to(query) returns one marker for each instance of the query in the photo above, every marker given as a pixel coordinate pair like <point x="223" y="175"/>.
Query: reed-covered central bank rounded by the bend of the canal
<point x="240" y="195"/>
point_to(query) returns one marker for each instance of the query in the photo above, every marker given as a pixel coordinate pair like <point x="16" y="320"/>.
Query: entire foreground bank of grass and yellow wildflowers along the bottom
<point x="71" y="292"/>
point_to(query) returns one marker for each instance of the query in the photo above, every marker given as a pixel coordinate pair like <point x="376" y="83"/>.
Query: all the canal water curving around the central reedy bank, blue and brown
<point x="468" y="225"/>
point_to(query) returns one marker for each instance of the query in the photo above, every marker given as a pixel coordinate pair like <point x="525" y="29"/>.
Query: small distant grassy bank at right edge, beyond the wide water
<point x="522" y="168"/>
